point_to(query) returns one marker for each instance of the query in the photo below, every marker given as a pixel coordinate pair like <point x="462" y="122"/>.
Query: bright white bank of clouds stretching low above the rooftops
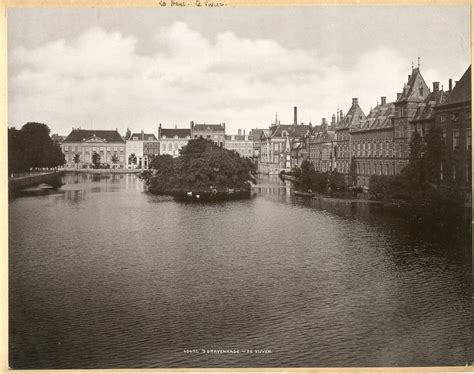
<point x="99" y="79"/>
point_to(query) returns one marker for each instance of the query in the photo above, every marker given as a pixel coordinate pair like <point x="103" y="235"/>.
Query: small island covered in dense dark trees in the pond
<point x="203" y="171"/>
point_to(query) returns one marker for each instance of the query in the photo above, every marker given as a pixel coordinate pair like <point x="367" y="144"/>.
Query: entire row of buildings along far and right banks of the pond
<point x="376" y="143"/>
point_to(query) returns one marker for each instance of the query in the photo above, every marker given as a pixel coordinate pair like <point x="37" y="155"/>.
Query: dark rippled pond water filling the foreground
<point x="104" y="275"/>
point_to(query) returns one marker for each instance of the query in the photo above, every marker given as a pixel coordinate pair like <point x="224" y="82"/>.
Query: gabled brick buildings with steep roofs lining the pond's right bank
<point x="377" y="143"/>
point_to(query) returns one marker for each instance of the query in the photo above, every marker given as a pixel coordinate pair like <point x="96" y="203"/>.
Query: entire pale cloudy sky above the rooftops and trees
<point x="136" y="68"/>
